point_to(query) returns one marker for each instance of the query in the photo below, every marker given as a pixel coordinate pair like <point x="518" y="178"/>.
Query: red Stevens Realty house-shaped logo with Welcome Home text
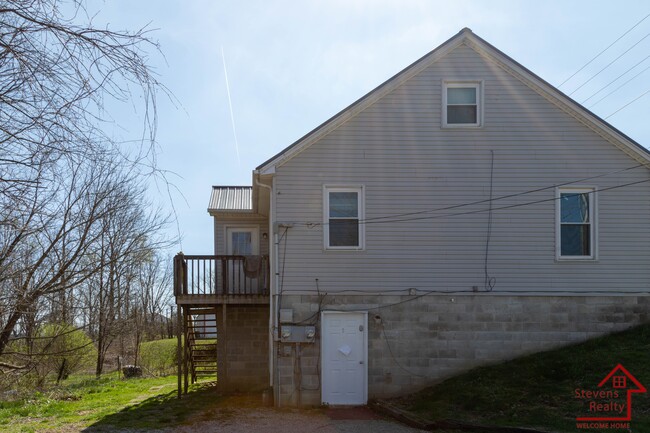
<point x="610" y="405"/>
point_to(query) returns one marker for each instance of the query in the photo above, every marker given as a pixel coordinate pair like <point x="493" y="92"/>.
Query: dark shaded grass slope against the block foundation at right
<point x="537" y="391"/>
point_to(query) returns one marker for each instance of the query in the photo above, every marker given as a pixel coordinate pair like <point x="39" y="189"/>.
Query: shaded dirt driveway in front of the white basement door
<point x="208" y="411"/>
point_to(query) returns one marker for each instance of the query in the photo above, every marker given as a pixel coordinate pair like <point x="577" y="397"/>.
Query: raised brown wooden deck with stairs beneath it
<point x="205" y="287"/>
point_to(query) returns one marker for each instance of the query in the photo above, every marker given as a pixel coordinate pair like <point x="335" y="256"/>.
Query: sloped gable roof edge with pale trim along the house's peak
<point x="467" y="37"/>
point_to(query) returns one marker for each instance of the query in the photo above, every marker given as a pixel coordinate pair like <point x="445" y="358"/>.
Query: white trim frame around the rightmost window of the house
<point x="593" y="221"/>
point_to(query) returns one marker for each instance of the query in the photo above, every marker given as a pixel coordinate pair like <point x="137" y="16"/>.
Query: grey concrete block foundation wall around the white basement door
<point x="414" y="342"/>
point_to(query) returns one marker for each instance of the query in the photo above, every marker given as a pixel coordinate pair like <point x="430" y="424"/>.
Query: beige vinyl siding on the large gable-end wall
<point x="407" y="163"/>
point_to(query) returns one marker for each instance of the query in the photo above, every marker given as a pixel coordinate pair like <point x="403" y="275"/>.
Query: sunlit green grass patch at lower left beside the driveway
<point x="107" y="404"/>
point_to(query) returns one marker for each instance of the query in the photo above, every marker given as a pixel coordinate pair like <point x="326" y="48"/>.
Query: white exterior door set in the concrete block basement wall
<point x="345" y="358"/>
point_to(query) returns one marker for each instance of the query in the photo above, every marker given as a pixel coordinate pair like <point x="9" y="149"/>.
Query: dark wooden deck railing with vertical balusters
<point x="221" y="275"/>
